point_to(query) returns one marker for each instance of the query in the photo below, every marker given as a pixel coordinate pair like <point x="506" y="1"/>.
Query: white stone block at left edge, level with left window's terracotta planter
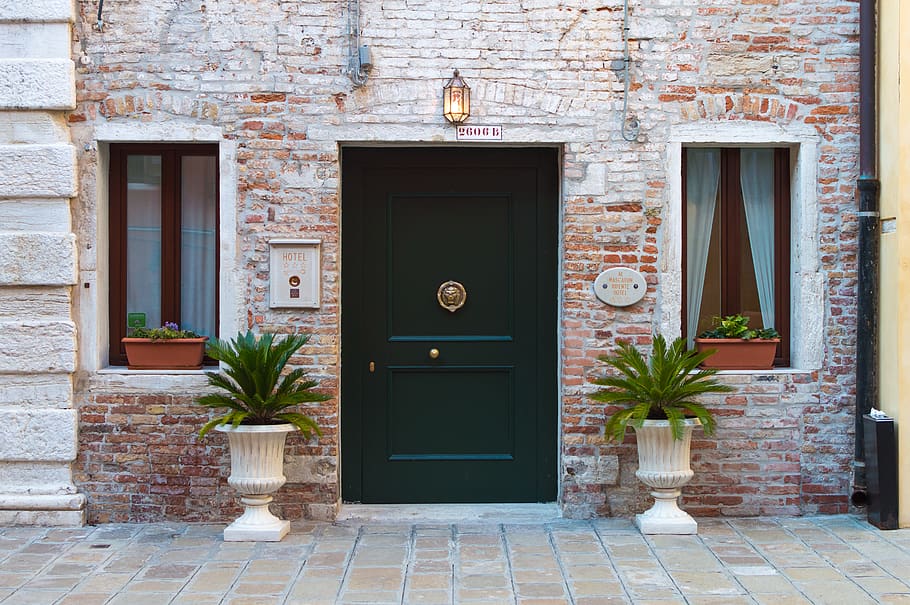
<point x="32" y="346"/>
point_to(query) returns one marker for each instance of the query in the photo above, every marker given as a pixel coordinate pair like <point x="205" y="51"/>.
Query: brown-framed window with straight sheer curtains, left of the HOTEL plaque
<point x="163" y="238"/>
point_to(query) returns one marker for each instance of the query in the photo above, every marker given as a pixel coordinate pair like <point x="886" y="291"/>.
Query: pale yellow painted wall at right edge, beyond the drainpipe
<point x="894" y="172"/>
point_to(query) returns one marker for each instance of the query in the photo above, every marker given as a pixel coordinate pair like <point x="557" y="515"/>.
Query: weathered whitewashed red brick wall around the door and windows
<point x="270" y="76"/>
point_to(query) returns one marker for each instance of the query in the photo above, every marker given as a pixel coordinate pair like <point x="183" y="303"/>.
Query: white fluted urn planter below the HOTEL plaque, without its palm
<point x="257" y="470"/>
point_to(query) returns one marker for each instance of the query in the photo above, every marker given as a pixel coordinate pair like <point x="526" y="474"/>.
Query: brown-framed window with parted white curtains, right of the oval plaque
<point x="736" y="255"/>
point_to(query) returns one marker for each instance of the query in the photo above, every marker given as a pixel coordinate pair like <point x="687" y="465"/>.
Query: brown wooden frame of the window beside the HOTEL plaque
<point x="171" y="154"/>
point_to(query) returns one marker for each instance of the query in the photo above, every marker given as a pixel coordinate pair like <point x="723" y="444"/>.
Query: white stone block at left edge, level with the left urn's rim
<point x="32" y="434"/>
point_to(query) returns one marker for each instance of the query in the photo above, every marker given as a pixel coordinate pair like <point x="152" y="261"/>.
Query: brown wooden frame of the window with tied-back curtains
<point x="731" y="208"/>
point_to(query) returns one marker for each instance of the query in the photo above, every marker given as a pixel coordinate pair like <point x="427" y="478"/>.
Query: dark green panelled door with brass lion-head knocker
<point x="443" y="404"/>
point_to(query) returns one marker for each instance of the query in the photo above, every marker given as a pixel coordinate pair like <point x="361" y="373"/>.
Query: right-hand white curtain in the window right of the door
<point x="757" y="180"/>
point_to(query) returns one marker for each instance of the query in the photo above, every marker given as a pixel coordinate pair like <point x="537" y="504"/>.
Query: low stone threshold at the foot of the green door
<point x="449" y="513"/>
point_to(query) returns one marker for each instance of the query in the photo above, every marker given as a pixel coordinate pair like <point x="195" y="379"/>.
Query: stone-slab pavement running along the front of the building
<point x="835" y="559"/>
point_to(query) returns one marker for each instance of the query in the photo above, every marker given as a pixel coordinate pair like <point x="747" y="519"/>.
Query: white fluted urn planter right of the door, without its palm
<point x="663" y="465"/>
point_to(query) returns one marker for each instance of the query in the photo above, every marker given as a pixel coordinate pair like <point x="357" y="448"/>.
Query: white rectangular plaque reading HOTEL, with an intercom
<point x="294" y="267"/>
